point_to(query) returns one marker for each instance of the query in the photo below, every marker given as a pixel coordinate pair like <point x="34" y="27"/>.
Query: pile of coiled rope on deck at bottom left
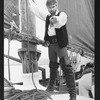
<point x="31" y="95"/>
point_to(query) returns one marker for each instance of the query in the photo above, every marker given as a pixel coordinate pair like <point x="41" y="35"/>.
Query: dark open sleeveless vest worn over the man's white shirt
<point x="61" y="33"/>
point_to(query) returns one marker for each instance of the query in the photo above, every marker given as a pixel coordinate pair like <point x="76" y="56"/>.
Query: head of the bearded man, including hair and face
<point x="52" y="6"/>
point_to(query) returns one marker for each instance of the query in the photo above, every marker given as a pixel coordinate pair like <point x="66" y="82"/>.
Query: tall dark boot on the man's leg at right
<point x="70" y="78"/>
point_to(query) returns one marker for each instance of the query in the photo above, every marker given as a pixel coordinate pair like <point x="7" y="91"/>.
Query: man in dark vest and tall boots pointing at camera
<point x="56" y="35"/>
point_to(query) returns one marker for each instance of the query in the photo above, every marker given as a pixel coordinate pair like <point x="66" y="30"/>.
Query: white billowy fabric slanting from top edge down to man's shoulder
<point x="37" y="11"/>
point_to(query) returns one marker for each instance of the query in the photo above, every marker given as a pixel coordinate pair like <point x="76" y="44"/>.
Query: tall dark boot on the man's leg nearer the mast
<point x="53" y="74"/>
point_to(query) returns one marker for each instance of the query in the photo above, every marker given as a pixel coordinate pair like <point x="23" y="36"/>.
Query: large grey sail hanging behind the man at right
<point x="80" y="22"/>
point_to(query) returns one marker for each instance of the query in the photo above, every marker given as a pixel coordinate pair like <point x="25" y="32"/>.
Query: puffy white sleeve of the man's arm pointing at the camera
<point x="61" y="20"/>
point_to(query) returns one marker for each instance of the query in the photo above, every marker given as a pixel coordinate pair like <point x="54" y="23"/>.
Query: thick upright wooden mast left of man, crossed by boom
<point x="28" y="52"/>
